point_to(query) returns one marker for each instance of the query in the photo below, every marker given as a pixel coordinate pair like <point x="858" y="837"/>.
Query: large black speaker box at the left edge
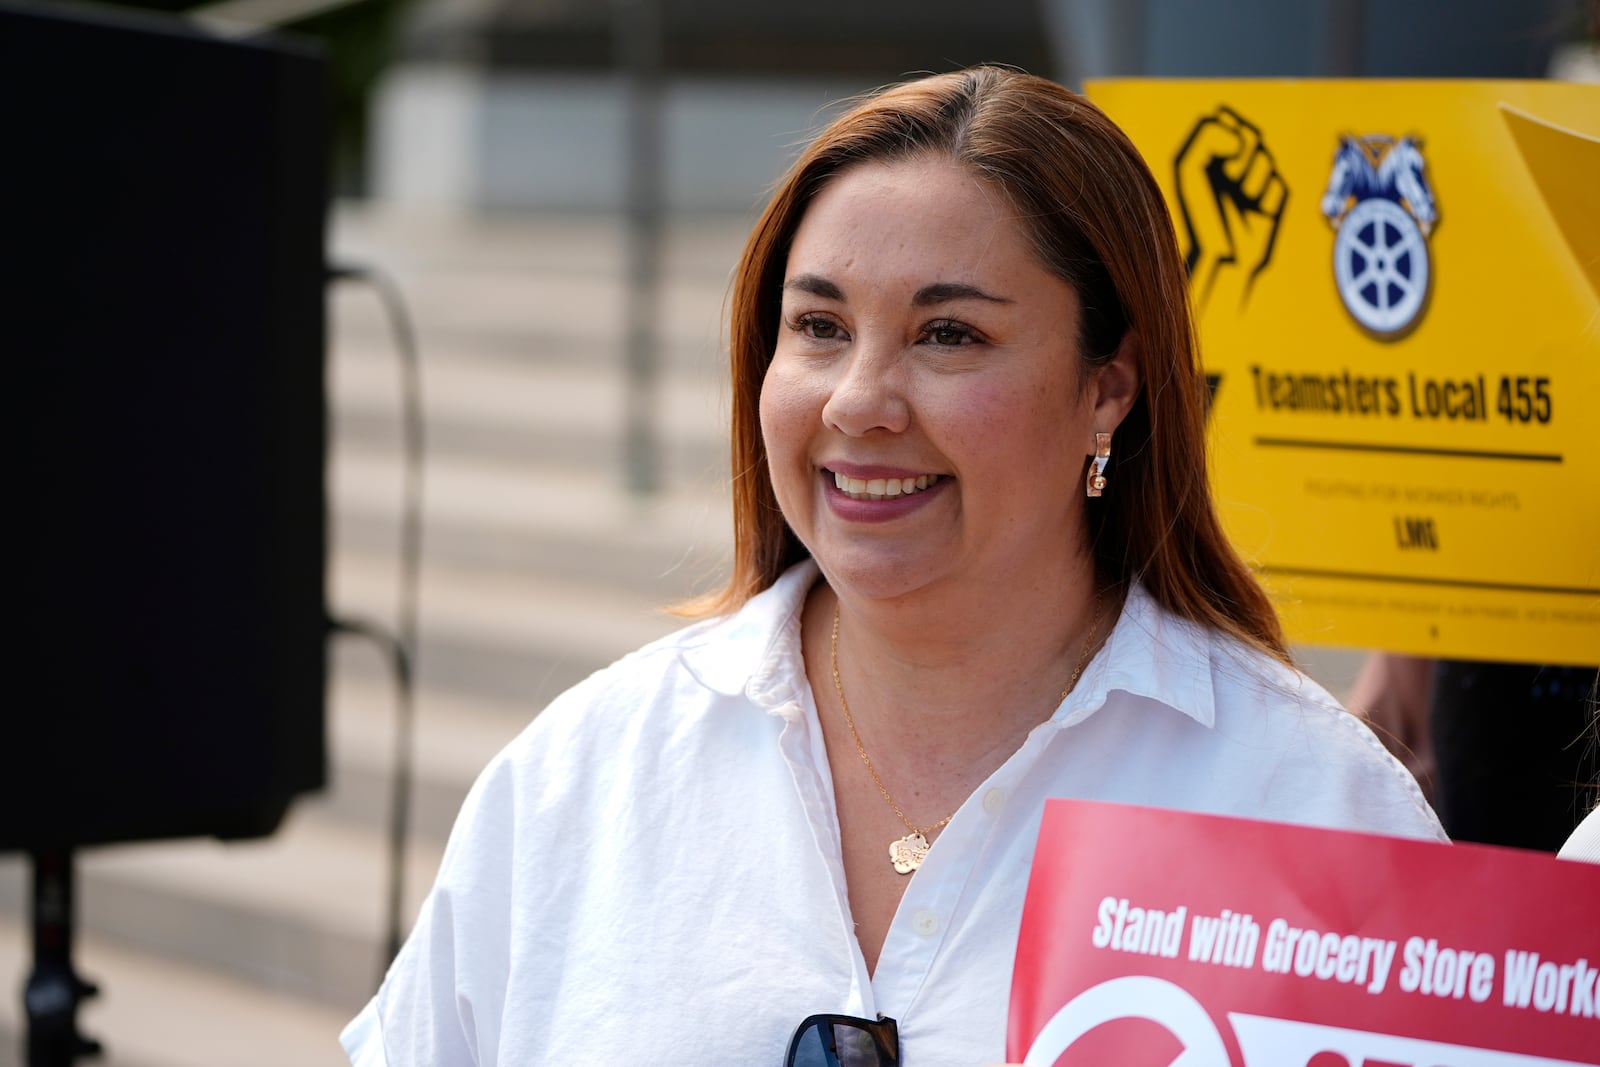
<point x="162" y="212"/>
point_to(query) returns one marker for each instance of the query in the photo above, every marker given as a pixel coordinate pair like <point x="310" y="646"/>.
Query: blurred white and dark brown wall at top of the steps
<point x="527" y="103"/>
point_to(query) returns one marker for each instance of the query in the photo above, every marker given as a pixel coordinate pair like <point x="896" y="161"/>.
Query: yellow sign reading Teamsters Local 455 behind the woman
<point x="1398" y="289"/>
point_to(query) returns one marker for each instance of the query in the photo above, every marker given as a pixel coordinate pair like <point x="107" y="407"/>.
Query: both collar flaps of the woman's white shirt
<point x="1151" y="653"/>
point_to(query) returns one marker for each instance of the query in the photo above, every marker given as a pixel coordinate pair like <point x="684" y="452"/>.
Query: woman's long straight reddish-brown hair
<point x="1097" y="220"/>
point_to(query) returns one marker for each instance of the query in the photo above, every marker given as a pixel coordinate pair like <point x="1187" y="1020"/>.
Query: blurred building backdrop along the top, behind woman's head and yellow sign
<point x="535" y="105"/>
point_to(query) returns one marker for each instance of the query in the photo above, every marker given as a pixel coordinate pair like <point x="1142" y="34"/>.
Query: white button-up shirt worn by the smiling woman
<point x="652" y="874"/>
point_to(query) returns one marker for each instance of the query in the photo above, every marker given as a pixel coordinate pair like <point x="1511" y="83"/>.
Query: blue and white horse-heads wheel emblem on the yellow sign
<point x="1383" y="210"/>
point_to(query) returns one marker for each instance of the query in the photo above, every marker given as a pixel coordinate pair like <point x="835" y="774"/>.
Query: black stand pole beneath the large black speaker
<point x="55" y="989"/>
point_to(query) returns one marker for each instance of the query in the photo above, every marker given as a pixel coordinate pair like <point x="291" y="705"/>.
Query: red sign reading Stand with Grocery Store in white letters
<point x="1158" y="938"/>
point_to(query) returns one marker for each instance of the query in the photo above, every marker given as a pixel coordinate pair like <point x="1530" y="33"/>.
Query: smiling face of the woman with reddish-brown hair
<point x="922" y="412"/>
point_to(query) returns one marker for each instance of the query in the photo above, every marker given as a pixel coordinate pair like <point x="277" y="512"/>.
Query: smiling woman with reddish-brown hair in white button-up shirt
<point x="977" y="567"/>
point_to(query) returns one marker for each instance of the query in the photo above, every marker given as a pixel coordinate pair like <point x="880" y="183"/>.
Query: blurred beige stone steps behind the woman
<point x="540" y="567"/>
